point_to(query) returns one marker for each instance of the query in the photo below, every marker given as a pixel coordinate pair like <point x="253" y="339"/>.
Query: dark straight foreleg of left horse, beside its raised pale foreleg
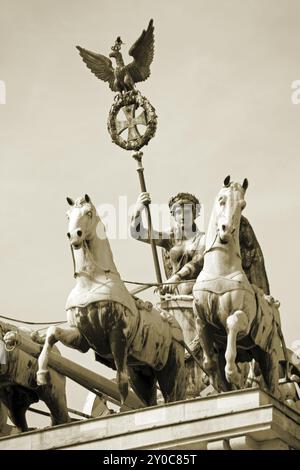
<point x="118" y="344"/>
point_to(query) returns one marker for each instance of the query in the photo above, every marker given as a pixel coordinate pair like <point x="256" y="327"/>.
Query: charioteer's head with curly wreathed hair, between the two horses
<point x="184" y="208"/>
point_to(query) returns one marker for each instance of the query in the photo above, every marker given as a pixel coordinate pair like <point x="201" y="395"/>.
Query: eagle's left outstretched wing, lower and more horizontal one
<point x="100" y="65"/>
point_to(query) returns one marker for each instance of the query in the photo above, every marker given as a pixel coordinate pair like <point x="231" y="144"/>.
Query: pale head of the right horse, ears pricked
<point x="228" y="206"/>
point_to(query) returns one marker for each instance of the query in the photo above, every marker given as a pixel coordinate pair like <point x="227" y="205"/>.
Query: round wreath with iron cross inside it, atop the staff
<point x="139" y="121"/>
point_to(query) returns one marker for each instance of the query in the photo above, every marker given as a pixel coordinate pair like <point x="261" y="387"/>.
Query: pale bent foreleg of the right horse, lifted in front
<point x="236" y="323"/>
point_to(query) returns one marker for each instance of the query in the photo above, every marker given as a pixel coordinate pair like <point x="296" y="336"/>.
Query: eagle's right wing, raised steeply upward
<point x="142" y="51"/>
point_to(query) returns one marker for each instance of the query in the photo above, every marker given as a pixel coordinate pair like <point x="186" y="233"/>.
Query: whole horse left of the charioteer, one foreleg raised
<point x="127" y="334"/>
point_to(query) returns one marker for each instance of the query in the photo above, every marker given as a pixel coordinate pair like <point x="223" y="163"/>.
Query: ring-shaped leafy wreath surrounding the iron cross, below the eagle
<point x="127" y="99"/>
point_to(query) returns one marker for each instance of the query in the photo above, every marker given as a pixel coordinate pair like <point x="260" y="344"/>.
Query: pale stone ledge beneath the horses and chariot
<point x="241" y="419"/>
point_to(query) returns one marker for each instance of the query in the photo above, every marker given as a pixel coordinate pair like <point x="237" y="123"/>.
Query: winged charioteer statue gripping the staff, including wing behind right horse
<point x="183" y="249"/>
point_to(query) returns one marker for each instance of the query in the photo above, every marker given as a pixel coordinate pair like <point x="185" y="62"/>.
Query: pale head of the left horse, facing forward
<point x="83" y="220"/>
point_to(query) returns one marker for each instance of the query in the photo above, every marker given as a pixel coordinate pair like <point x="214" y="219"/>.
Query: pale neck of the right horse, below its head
<point x="221" y="259"/>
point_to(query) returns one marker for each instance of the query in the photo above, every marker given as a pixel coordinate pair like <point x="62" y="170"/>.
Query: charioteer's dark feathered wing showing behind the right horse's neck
<point x="252" y="257"/>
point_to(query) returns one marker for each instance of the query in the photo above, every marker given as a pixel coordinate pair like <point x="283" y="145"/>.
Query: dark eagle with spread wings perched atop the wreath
<point x="123" y="77"/>
